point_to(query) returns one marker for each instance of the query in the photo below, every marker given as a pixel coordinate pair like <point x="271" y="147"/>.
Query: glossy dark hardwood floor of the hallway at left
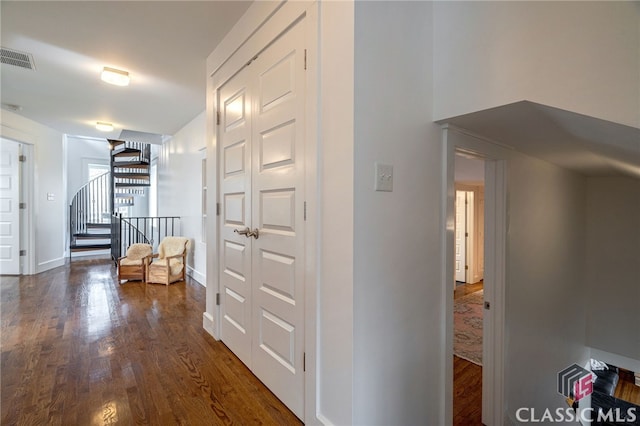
<point x="78" y="348"/>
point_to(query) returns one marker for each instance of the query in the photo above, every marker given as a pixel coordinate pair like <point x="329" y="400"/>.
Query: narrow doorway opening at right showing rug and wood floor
<point x="468" y="286"/>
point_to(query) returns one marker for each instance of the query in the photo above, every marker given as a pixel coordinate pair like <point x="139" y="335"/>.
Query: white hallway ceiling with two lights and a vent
<point x="162" y="44"/>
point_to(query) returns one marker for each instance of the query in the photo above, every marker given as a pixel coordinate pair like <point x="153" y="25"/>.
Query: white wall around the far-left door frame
<point x="49" y="215"/>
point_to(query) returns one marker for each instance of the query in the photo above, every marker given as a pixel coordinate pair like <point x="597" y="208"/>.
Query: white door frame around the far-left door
<point x="27" y="189"/>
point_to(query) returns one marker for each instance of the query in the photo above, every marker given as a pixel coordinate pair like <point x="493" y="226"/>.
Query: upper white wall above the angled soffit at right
<point x="578" y="56"/>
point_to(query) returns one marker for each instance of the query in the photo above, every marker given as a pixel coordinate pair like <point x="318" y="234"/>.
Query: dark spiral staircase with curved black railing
<point x="94" y="205"/>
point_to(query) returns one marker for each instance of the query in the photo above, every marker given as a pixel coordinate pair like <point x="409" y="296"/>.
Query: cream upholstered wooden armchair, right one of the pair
<point x="169" y="264"/>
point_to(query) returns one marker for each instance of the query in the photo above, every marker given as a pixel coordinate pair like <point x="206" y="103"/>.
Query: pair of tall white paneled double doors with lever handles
<point x="262" y="185"/>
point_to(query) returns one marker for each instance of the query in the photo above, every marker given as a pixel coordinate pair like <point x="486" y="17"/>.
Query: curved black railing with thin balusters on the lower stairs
<point x="90" y="205"/>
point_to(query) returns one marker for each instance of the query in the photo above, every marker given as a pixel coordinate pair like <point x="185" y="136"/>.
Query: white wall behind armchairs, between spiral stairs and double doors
<point x="180" y="188"/>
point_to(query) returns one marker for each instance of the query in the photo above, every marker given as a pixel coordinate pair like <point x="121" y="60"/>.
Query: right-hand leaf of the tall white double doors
<point x="278" y="214"/>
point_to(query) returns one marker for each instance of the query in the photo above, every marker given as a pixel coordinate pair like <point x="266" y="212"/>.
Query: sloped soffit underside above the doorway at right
<point x="576" y="142"/>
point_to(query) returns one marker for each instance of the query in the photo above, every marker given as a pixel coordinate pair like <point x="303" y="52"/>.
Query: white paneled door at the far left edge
<point x="9" y="207"/>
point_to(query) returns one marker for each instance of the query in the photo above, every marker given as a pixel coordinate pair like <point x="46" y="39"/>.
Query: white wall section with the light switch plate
<point x="397" y="301"/>
